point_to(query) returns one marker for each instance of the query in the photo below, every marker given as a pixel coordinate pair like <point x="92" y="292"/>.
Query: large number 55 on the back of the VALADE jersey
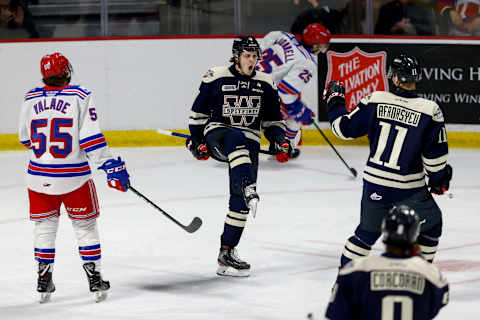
<point x="39" y="139"/>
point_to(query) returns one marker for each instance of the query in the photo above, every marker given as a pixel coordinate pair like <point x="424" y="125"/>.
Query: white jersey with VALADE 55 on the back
<point x="60" y="126"/>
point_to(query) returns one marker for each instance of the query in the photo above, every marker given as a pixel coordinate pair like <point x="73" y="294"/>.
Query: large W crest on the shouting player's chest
<point x="242" y="110"/>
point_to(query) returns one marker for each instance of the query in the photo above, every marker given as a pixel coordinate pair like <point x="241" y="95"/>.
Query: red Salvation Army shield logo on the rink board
<point x="361" y="72"/>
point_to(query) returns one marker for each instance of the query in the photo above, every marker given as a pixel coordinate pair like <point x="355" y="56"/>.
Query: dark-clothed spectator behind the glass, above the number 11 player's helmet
<point x="404" y="17"/>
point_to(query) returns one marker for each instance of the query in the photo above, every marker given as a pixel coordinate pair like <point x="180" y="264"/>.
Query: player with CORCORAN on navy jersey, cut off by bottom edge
<point x="396" y="285"/>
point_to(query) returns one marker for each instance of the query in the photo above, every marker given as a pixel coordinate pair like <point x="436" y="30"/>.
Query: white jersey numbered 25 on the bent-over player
<point x="291" y="65"/>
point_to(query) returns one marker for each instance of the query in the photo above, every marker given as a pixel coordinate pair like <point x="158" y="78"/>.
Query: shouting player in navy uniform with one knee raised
<point x="233" y="105"/>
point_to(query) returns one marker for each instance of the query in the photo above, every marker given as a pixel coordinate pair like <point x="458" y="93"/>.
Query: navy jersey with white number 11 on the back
<point x="407" y="137"/>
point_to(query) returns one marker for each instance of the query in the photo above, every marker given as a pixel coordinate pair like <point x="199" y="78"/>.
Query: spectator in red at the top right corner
<point x="463" y="16"/>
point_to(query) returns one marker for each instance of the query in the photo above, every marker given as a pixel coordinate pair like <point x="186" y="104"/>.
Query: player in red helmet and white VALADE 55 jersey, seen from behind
<point x="59" y="124"/>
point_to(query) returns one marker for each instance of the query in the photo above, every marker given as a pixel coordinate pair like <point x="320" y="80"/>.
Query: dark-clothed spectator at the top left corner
<point x="15" y="14"/>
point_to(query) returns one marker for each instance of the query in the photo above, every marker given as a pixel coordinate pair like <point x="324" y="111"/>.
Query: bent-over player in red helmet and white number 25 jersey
<point x="292" y="61"/>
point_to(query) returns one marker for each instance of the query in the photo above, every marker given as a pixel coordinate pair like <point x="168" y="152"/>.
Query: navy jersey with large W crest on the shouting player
<point x="230" y="99"/>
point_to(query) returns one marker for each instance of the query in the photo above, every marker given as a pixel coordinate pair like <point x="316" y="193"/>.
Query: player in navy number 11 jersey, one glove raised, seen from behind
<point x="407" y="138"/>
